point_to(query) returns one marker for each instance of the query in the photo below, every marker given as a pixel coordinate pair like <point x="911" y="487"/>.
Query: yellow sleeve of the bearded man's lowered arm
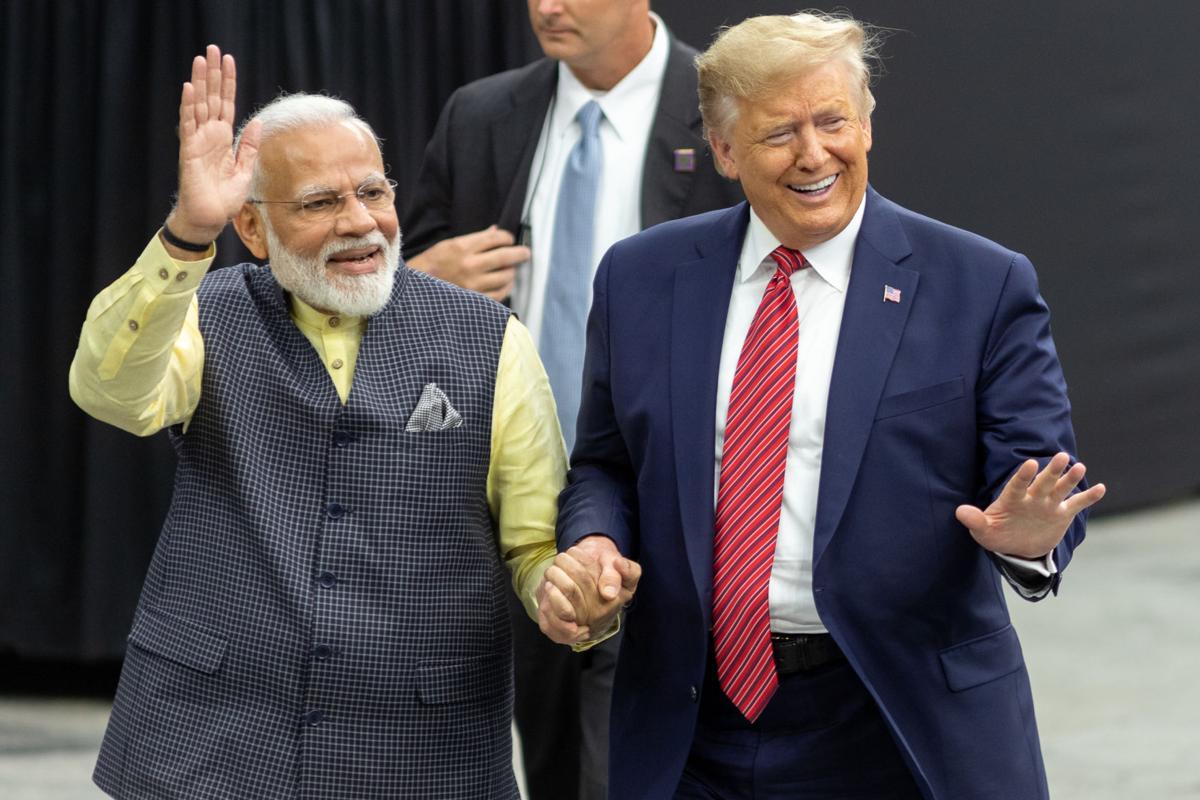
<point x="529" y="465"/>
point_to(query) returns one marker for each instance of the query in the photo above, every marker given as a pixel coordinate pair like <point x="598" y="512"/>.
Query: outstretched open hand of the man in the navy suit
<point x="1034" y="510"/>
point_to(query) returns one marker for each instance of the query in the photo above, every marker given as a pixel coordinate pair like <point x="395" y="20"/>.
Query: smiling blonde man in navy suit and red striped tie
<point x="825" y="428"/>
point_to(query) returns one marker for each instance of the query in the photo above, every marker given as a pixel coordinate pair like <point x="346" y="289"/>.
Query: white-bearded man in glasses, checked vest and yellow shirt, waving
<point x="363" y="449"/>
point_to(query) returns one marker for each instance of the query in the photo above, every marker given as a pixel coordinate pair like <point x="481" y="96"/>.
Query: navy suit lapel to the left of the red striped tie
<point x="700" y="306"/>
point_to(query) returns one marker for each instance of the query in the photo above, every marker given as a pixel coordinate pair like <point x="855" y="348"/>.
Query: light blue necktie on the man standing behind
<point x="568" y="287"/>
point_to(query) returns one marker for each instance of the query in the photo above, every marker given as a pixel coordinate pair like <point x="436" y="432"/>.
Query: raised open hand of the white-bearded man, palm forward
<point x="213" y="181"/>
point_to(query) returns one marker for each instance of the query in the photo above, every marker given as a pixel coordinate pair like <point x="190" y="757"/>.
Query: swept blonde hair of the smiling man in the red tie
<point x="761" y="53"/>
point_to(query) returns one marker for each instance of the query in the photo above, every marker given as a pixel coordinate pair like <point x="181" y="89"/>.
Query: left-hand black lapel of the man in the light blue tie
<point x="517" y="140"/>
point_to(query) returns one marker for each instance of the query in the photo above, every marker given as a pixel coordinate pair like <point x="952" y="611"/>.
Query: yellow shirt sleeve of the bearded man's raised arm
<point x="140" y="357"/>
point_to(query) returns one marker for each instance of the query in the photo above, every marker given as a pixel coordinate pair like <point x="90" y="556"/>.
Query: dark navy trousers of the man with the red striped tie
<point x="820" y="738"/>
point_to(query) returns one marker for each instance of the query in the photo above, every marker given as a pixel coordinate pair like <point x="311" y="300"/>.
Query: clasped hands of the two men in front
<point x="585" y="590"/>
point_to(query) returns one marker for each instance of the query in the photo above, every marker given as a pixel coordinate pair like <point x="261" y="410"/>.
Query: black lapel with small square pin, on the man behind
<point x="677" y="125"/>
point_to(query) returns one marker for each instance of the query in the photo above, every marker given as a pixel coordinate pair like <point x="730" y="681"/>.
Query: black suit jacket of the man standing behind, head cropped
<point x="477" y="166"/>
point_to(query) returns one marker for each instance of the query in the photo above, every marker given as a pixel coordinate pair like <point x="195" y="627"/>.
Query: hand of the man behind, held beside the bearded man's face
<point x="485" y="262"/>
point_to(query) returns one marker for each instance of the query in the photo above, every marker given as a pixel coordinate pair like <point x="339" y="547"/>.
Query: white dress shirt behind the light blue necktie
<point x="629" y="111"/>
